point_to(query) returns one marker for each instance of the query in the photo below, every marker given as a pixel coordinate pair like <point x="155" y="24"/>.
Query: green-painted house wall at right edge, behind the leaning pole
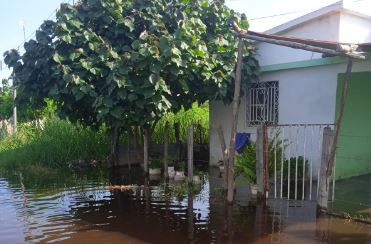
<point x="353" y="156"/>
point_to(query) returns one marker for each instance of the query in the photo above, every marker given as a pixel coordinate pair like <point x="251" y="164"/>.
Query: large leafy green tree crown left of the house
<point x="127" y="63"/>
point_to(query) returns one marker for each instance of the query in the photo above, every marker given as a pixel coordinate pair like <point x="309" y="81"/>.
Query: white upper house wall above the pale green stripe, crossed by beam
<point x="338" y="27"/>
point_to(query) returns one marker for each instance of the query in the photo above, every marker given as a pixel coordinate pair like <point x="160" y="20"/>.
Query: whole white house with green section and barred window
<point x="299" y="91"/>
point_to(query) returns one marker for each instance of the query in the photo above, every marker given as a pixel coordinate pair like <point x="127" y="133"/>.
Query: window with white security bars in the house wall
<point x="262" y="103"/>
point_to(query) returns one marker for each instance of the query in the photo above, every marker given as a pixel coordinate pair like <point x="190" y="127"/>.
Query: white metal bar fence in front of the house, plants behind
<point x="295" y="157"/>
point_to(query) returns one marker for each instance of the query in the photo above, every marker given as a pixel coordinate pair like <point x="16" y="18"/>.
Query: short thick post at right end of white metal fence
<point x="324" y="180"/>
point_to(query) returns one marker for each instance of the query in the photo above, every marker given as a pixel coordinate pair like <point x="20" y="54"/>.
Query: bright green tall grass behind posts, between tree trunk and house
<point x="197" y="115"/>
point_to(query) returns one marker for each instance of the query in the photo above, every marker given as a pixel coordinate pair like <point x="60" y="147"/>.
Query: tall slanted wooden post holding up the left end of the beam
<point x="235" y="110"/>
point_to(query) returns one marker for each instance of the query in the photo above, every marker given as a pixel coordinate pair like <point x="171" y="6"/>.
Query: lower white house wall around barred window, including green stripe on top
<point x="306" y="96"/>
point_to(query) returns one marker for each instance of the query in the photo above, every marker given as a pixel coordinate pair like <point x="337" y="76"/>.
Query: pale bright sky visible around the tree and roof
<point x="34" y="12"/>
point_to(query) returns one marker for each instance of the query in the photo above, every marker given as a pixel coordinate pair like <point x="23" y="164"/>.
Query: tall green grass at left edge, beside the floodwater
<point x="52" y="145"/>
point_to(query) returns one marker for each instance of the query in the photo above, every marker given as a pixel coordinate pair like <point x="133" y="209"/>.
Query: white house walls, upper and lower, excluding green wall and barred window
<point x="307" y="95"/>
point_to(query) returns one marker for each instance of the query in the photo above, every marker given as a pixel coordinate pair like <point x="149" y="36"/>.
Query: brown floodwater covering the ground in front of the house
<point x="79" y="209"/>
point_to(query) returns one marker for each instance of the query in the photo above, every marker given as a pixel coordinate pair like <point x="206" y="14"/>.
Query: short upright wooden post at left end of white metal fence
<point x="260" y="161"/>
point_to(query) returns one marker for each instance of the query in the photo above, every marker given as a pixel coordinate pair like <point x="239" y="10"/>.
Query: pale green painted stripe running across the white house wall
<point x="307" y="63"/>
